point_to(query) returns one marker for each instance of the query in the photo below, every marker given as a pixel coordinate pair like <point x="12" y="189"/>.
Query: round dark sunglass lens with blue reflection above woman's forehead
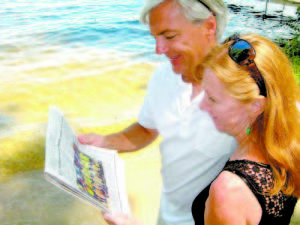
<point x="240" y="51"/>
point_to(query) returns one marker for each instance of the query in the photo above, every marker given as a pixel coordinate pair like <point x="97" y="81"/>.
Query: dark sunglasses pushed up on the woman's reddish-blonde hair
<point x="242" y="53"/>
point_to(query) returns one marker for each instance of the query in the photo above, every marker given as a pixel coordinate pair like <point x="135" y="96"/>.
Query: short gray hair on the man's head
<point x="195" y="11"/>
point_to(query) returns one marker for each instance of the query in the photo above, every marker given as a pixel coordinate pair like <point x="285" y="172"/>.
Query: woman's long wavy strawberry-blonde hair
<point x="277" y="130"/>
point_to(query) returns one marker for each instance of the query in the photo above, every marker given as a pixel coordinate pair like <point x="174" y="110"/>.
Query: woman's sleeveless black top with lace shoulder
<point x="276" y="210"/>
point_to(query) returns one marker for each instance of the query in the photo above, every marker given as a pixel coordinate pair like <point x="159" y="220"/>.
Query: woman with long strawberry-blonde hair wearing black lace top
<point x="251" y="94"/>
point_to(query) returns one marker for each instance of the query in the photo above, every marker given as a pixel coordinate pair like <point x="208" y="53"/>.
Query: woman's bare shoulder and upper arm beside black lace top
<point x="231" y="202"/>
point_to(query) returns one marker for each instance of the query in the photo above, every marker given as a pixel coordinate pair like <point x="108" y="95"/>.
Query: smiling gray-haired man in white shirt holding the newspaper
<point x="193" y="152"/>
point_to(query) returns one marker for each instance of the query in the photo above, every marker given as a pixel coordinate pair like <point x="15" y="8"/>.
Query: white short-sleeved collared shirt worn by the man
<point x="193" y="152"/>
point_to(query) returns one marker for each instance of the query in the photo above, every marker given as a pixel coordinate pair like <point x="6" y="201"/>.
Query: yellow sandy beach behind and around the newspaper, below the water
<point x="101" y="104"/>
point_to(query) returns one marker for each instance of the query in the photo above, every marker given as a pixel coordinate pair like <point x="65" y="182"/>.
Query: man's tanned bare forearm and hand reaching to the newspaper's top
<point x="132" y="138"/>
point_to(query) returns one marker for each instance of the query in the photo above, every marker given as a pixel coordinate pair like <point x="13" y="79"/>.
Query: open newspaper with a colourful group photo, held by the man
<point x="92" y="174"/>
